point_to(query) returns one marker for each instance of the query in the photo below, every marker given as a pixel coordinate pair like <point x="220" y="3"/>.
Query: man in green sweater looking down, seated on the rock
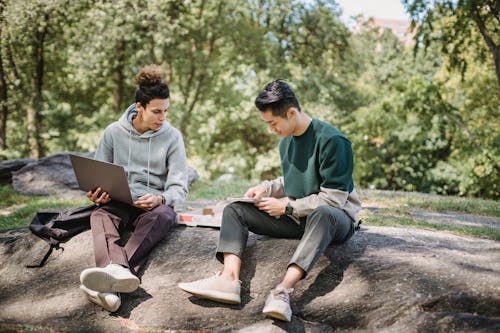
<point x="314" y="201"/>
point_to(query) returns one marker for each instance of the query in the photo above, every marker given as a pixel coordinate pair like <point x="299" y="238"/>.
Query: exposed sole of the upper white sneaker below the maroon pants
<point x="104" y="282"/>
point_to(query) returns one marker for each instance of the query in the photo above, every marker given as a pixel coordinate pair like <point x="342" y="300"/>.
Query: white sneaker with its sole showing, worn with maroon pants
<point x="112" y="278"/>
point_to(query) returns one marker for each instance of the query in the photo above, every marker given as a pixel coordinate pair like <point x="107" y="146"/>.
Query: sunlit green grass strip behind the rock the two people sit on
<point x="17" y="210"/>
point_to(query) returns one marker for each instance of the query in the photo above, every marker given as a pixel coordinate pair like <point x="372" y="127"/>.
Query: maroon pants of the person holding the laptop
<point x="148" y="228"/>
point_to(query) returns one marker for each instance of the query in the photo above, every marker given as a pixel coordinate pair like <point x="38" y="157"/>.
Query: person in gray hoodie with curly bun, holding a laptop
<point x="153" y="155"/>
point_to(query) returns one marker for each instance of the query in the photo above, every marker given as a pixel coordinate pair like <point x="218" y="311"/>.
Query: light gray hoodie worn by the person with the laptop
<point x="155" y="161"/>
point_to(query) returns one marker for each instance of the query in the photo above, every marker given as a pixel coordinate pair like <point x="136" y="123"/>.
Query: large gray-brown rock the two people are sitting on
<point x="385" y="279"/>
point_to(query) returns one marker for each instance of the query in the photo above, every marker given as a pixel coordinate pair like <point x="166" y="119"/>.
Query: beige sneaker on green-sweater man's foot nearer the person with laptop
<point x="215" y="288"/>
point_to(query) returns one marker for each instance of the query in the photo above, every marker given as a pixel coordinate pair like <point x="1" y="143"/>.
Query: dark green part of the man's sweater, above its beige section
<point x="321" y="157"/>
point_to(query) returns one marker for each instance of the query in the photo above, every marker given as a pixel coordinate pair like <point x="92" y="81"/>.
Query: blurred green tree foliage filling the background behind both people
<point x="415" y="125"/>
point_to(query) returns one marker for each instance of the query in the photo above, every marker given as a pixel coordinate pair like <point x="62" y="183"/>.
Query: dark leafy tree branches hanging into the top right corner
<point x="455" y="20"/>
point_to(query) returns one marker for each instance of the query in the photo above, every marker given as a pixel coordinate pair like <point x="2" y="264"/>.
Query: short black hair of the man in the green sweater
<point x="277" y="96"/>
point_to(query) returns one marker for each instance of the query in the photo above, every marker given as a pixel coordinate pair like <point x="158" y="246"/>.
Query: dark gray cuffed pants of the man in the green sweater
<point x="324" y="226"/>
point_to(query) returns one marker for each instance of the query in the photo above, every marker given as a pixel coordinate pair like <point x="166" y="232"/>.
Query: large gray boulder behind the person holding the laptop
<point x="53" y="175"/>
